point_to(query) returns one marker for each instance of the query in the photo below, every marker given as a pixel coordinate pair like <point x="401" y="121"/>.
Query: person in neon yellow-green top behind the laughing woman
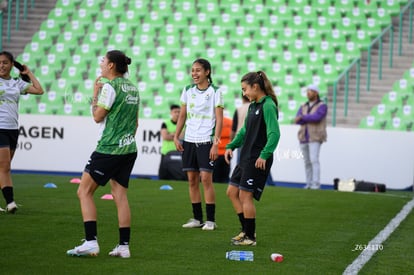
<point x="171" y="159"/>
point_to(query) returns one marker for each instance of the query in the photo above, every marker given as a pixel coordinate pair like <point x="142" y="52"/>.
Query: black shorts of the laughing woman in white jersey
<point x="196" y="157"/>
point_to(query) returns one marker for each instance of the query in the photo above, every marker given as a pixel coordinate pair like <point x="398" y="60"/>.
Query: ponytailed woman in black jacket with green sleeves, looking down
<point x="258" y="137"/>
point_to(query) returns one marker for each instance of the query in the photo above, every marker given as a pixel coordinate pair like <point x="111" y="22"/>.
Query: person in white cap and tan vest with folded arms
<point x="311" y="117"/>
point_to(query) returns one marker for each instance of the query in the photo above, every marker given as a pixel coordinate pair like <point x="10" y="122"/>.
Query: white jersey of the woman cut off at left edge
<point x="10" y="91"/>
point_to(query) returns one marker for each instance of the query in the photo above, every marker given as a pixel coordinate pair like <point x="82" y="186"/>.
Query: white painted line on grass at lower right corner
<point x="366" y="254"/>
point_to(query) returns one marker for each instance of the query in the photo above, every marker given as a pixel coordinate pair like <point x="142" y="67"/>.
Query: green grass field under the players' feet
<point x="315" y="230"/>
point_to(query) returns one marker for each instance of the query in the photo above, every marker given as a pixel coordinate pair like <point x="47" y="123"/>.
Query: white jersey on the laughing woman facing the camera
<point x="201" y="117"/>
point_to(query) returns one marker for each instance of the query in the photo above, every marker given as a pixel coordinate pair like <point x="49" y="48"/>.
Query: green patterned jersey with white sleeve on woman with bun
<point x="117" y="134"/>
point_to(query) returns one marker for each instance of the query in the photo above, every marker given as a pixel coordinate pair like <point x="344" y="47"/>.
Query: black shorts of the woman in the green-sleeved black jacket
<point x="251" y="179"/>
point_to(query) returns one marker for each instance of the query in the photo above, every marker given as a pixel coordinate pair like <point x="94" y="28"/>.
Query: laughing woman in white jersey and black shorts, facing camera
<point x="202" y="113"/>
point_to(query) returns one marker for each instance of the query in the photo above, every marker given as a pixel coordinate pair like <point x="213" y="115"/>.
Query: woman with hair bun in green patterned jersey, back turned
<point x="115" y="107"/>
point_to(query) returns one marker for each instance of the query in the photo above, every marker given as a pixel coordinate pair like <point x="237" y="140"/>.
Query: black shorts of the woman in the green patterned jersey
<point x="103" y="167"/>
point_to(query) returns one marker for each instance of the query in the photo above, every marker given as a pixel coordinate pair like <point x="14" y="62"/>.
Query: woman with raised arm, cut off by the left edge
<point x="10" y="91"/>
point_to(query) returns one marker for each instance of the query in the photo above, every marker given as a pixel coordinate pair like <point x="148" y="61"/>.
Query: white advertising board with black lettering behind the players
<point x="63" y="144"/>
